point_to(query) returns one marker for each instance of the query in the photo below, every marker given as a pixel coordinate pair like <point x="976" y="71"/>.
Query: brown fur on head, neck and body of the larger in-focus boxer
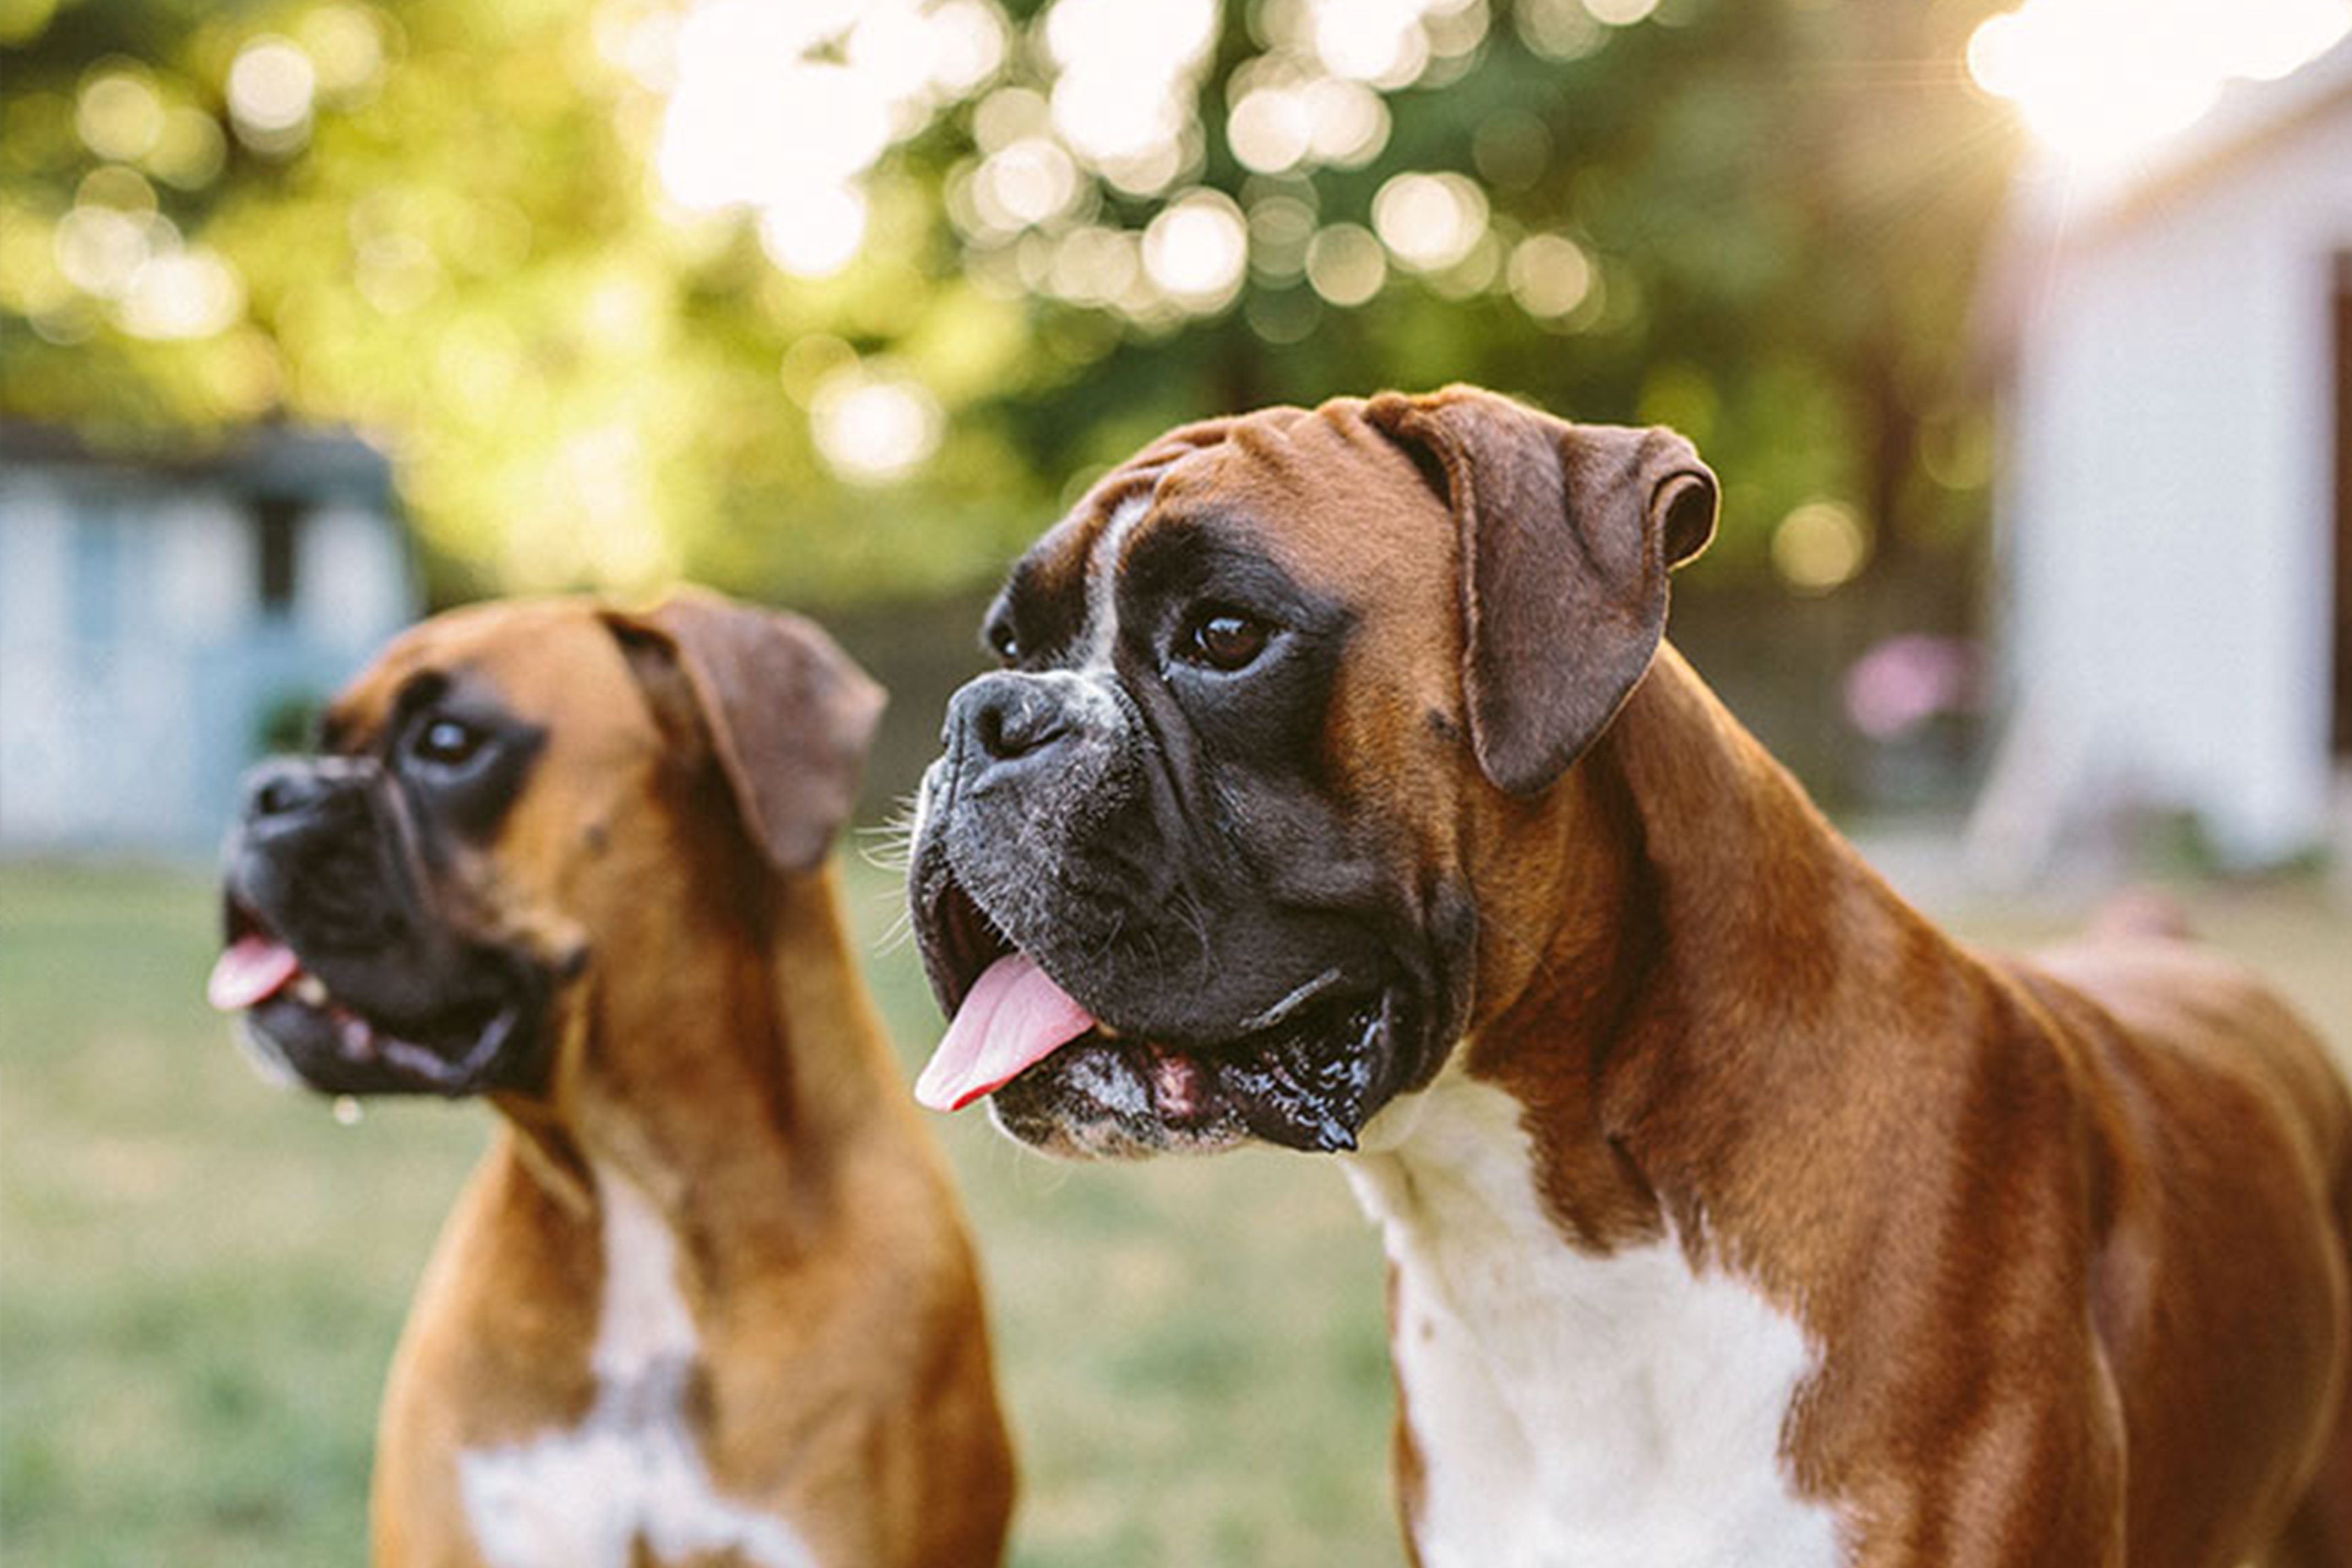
<point x="2071" y="1233"/>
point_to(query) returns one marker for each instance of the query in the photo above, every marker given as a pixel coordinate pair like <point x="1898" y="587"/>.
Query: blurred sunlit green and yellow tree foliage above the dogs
<point x="883" y="356"/>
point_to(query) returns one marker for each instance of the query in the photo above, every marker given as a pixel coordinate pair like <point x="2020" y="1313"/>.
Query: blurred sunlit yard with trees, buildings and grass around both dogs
<point x="2022" y="337"/>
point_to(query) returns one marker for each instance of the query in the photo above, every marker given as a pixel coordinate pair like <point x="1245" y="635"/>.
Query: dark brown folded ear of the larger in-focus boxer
<point x="1568" y="537"/>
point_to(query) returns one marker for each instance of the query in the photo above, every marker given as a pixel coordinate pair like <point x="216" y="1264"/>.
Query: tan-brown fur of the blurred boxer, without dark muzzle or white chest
<point x="721" y="1052"/>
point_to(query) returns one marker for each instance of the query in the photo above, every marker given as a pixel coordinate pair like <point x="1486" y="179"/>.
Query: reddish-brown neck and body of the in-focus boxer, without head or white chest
<point x="2062" y="1228"/>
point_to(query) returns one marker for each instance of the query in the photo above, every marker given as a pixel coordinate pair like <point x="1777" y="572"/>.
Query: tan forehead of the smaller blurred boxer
<point x="519" y="657"/>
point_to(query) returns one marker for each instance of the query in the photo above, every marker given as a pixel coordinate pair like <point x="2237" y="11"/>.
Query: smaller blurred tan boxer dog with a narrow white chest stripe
<point x="709" y="1296"/>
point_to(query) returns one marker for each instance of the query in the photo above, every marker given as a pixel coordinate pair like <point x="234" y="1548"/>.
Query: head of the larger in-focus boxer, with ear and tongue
<point x="1201" y="862"/>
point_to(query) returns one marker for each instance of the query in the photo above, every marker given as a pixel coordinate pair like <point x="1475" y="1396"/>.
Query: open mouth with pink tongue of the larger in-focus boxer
<point x="1297" y="1073"/>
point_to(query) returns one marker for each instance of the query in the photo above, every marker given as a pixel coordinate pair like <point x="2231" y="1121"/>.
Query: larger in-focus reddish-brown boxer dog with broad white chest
<point x="1339" y="793"/>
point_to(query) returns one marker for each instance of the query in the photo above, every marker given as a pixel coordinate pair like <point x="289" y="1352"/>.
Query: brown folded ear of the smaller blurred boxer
<point x="784" y="711"/>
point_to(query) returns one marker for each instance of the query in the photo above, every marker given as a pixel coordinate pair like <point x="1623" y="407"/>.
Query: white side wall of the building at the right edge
<point x="2170" y="509"/>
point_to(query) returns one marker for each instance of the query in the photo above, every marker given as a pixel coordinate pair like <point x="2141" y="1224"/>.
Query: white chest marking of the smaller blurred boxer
<point x="629" y="1473"/>
